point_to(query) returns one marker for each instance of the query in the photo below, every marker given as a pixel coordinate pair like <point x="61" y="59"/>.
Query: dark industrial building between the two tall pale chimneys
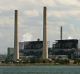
<point x="31" y="48"/>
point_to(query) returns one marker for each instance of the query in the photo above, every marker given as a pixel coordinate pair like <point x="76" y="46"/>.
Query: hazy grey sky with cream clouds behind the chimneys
<point x="64" y="13"/>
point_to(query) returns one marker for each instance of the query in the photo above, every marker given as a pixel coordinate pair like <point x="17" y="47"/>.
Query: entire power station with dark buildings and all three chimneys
<point x="39" y="49"/>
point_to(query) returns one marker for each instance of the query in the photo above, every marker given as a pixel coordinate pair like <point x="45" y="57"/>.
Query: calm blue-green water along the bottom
<point x="41" y="70"/>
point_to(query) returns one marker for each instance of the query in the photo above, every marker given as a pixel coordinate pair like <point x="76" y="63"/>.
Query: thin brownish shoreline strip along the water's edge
<point x="39" y="64"/>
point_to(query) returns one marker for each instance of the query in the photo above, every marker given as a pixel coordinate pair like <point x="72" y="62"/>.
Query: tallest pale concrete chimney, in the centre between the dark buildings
<point x="45" y="42"/>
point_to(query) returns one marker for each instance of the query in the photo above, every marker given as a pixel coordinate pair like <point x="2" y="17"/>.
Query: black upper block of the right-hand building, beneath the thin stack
<point x="66" y="44"/>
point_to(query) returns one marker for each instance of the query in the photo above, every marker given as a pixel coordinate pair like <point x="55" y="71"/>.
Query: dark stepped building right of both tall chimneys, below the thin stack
<point x="65" y="47"/>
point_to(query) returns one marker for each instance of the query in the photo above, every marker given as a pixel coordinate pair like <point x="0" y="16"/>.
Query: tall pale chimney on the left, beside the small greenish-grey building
<point x="16" y="44"/>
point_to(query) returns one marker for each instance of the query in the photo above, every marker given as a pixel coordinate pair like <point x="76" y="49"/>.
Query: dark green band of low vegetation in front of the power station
<point x="40" y="61"/>
